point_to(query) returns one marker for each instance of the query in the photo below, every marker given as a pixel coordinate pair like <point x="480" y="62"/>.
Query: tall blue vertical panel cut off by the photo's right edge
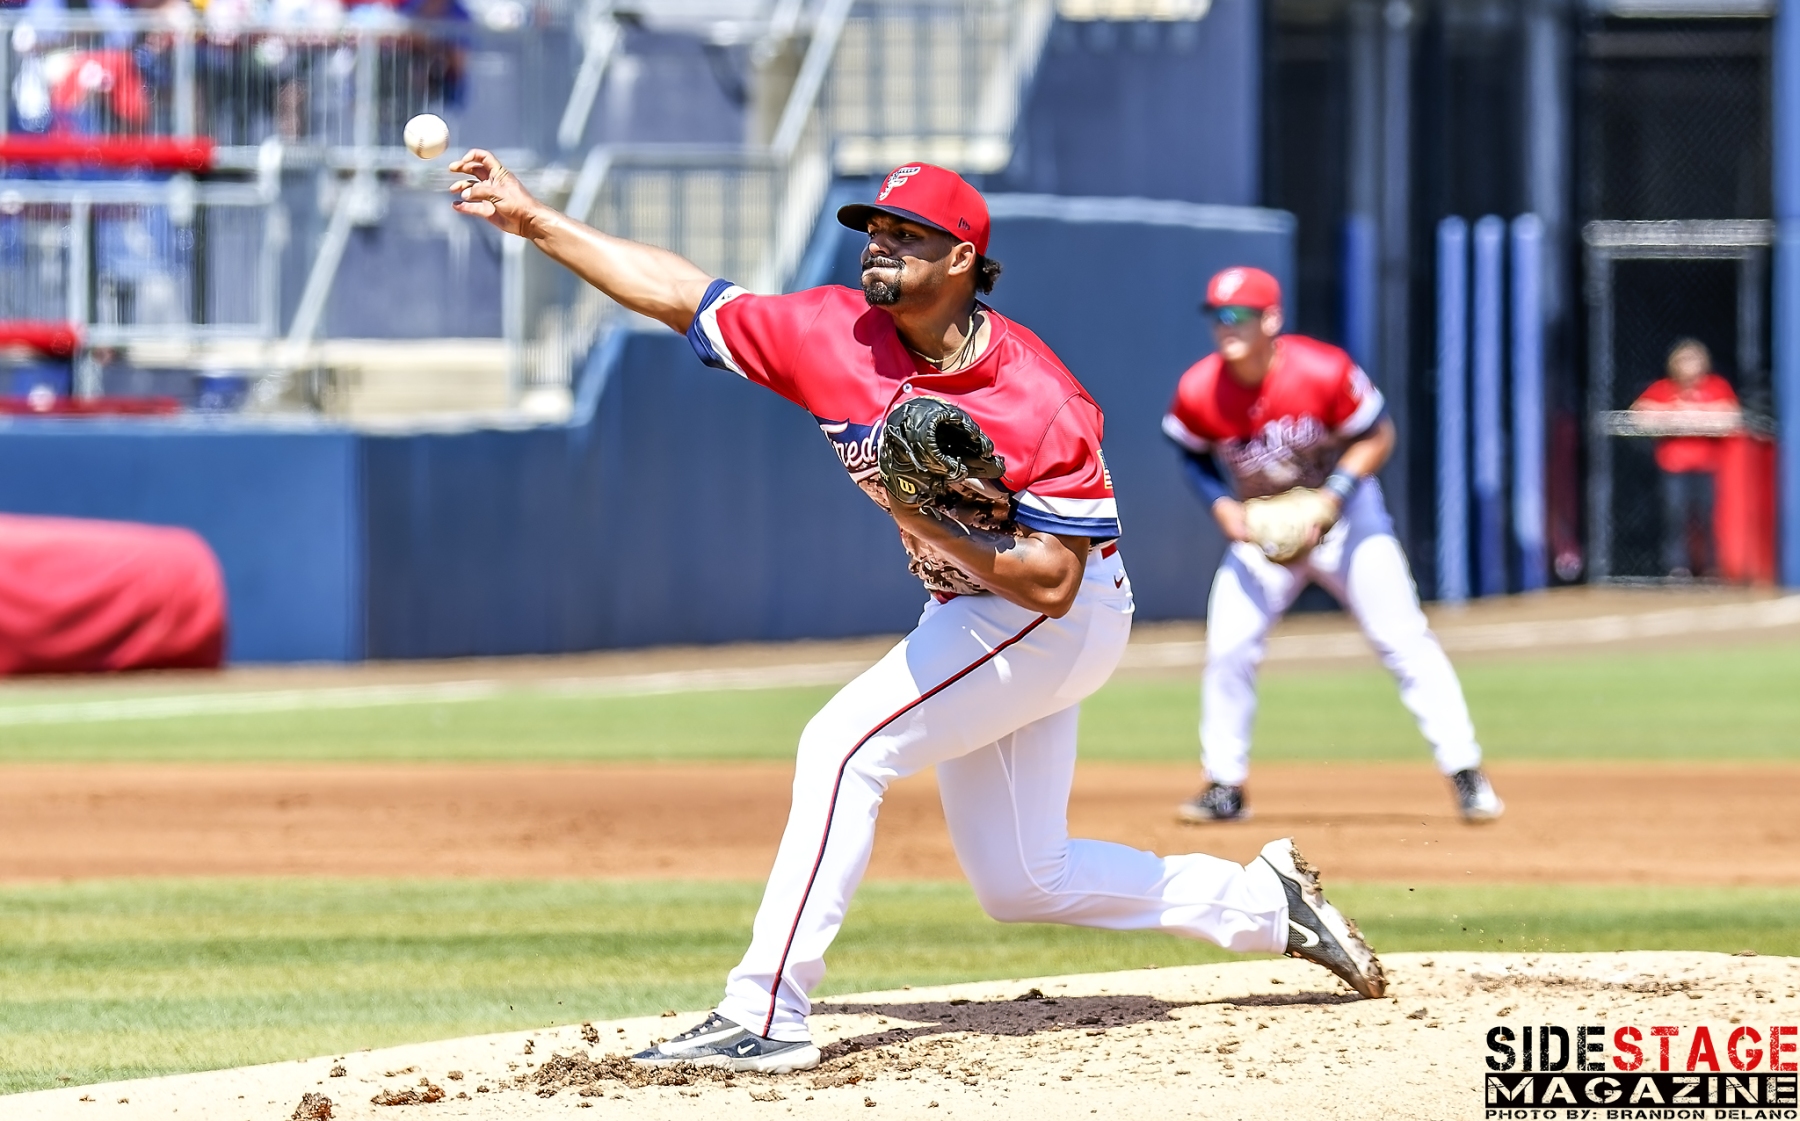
<point x="1788" y="283"/>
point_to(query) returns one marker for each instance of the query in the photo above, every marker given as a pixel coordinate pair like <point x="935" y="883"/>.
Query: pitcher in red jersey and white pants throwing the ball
<point x="1029" y="614"/>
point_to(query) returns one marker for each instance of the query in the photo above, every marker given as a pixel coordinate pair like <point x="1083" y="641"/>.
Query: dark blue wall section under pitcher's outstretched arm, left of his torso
<point x="681" y="507"/>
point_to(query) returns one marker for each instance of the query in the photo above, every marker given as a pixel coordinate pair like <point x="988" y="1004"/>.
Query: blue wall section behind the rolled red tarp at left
<point x="280" y="508"/>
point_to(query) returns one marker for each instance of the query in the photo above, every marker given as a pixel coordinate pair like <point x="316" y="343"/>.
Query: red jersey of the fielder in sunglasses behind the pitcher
<point x="1284" y="433"/>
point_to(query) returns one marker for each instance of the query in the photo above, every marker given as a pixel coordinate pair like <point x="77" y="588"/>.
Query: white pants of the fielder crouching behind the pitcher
<point x="1362" y="564"/>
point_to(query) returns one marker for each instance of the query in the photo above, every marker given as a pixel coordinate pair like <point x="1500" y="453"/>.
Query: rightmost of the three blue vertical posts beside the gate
<point x="1529" y="402"/>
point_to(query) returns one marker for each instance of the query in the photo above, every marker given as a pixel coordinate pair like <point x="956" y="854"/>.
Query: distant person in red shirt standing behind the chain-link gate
<point x="1687" y="462"/>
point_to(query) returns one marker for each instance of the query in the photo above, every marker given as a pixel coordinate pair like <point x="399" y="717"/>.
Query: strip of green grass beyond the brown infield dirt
<point x="1666" y="704"/>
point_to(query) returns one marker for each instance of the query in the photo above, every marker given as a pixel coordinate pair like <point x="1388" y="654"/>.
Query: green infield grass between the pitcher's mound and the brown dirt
<point x="116" y="980"/>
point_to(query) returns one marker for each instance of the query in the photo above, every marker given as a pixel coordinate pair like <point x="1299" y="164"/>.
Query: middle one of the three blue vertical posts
<point x="1486" y="370"/>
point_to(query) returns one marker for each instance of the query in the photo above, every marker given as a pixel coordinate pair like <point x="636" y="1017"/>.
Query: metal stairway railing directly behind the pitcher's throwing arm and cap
<point x="879" y="82"/>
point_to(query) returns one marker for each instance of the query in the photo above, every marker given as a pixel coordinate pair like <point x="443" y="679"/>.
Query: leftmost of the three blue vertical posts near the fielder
<point x="1453" y="411"/>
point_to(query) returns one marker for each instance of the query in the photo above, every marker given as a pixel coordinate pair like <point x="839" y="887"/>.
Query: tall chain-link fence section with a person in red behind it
<point x="1673" y="177"/>
